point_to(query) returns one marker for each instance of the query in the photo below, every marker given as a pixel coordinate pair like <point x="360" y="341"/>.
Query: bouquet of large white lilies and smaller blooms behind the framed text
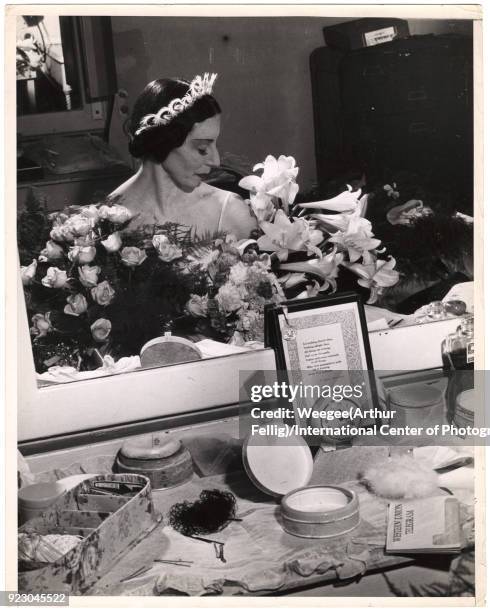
<point x="294" y="255"/>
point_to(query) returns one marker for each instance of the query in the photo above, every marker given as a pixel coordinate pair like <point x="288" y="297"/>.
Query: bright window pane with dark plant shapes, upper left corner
<point x="47" y="76"/>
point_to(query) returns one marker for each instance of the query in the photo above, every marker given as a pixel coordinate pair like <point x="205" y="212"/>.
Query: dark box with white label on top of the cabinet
<point x="365" y="33"/>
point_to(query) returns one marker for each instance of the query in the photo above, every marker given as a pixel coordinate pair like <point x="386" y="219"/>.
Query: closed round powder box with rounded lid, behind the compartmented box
<point x="161" y="458"/>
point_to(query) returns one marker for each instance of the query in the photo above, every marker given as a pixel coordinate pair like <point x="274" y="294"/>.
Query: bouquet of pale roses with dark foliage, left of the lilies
<point x="95" y="288"/>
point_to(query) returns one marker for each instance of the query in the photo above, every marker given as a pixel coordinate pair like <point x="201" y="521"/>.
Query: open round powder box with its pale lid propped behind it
<point x="283" y="469"/>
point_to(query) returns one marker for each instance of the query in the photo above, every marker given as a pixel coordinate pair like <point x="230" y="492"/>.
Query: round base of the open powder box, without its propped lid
<point x="320" y="511"/>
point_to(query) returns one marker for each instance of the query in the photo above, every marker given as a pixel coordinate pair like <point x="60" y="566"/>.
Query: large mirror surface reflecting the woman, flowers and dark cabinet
<point x="159" y="237"/>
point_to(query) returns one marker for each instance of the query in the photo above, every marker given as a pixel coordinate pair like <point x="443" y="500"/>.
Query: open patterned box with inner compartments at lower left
<point x="108" y="513"/>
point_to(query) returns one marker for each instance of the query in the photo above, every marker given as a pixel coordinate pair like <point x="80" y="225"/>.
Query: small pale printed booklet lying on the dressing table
<point x="430" y="525"/>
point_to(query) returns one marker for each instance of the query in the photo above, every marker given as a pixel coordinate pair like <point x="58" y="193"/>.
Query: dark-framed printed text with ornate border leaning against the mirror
<point x="323" y="341"/>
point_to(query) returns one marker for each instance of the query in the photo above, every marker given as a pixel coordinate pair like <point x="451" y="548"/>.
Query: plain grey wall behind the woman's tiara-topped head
<point x="264" y="79"/>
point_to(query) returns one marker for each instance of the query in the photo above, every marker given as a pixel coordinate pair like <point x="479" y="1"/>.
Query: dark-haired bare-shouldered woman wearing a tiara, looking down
<point x="173" y="131"/>
